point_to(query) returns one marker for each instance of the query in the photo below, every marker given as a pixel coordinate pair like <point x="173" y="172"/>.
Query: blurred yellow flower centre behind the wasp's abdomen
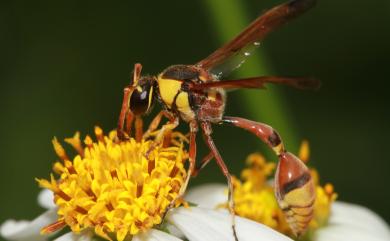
<point x="254" y="195"/>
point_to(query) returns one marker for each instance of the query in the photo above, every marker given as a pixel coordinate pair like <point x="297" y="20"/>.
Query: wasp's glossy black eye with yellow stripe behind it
<point x="142" y="97"/>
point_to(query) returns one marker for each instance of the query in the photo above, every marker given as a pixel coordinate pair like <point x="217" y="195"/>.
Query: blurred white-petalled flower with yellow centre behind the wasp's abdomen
<point x="254" y="199"/>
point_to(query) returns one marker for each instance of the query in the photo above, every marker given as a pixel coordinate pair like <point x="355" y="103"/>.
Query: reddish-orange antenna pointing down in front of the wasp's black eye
<point x="125" y="115"/>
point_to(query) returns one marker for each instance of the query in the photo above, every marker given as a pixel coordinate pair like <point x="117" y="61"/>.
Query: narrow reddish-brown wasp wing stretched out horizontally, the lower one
<point x="259" y="83"/>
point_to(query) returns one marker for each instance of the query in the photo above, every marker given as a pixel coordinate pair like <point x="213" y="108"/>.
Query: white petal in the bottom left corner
<point x="27" y="230"/>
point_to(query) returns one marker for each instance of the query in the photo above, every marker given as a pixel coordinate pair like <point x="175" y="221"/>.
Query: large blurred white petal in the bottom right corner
<point x="353" y="222"/>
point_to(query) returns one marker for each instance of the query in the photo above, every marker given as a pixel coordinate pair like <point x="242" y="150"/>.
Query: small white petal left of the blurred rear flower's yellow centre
<point x="209" y="195"/>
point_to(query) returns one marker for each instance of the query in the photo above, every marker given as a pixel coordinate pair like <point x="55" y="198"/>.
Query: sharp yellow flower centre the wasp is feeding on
<point x="116" y="188"/>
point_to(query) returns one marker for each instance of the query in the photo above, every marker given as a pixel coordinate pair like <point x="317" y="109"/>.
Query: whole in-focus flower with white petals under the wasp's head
<point x="121" y="190"/>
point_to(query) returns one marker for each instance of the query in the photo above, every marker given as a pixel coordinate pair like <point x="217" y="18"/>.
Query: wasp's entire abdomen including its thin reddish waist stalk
<point x="294" y="187"/>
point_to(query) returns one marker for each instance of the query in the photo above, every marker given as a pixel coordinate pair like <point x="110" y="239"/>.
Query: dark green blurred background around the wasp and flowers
<point x="64" y="64"/>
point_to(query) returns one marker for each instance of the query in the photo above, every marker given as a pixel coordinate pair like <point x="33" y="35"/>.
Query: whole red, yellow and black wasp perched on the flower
<point x="196" y="95"/>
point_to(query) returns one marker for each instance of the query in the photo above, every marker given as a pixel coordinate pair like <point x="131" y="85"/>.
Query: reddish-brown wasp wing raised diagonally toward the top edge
<point x="234" y="53"/>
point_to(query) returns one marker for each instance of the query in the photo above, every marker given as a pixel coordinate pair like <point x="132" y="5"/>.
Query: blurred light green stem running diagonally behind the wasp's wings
<point x="228" y="18"/>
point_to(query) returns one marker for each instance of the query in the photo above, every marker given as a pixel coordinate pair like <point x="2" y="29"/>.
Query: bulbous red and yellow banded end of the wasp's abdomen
<point x="295" y="192"/>
